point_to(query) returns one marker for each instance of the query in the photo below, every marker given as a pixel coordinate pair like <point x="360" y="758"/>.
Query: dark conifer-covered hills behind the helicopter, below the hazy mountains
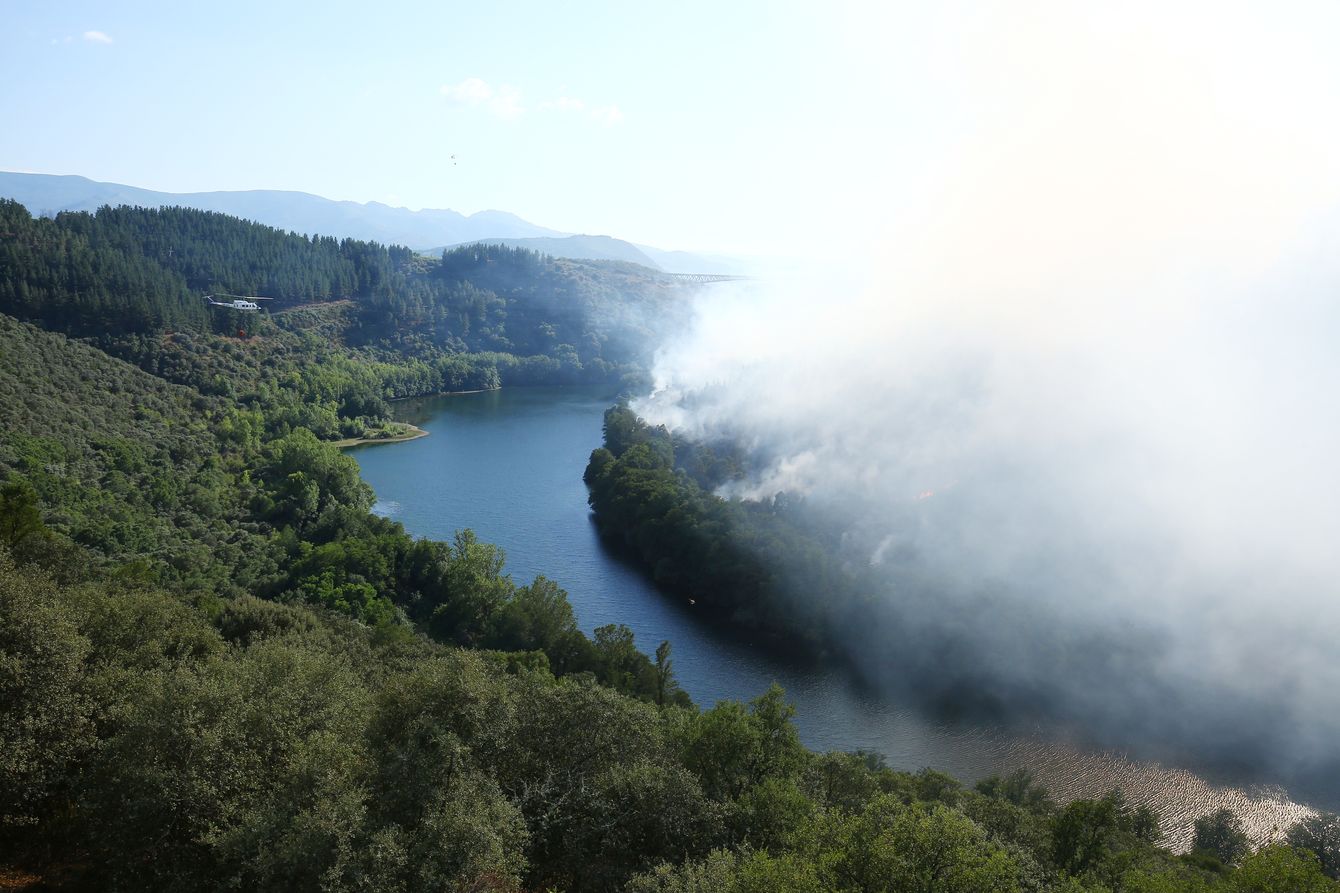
<point x="136" y="273"/>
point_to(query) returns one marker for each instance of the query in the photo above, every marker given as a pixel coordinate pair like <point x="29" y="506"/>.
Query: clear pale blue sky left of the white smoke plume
<point x="685" y="125"/>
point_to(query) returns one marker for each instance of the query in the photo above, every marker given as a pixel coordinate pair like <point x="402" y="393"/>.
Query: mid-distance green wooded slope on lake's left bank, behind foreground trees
<point x="156" y="485"/>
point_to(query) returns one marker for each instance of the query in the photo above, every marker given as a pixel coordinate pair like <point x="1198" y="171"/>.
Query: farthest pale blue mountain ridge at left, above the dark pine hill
<point x="295" y="211"/>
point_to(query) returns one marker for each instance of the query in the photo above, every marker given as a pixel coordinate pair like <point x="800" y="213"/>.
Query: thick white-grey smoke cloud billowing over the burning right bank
<point x="1077" y="407"/>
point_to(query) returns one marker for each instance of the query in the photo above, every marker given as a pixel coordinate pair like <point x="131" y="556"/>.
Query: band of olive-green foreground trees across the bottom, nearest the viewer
<point x="152" y="742"/>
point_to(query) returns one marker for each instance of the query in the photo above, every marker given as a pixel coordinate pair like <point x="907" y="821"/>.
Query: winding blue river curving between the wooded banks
<point x="509" y="465"/>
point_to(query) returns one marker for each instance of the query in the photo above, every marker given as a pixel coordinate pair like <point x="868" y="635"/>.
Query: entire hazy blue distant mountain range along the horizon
<point x="375" y="222"/>
